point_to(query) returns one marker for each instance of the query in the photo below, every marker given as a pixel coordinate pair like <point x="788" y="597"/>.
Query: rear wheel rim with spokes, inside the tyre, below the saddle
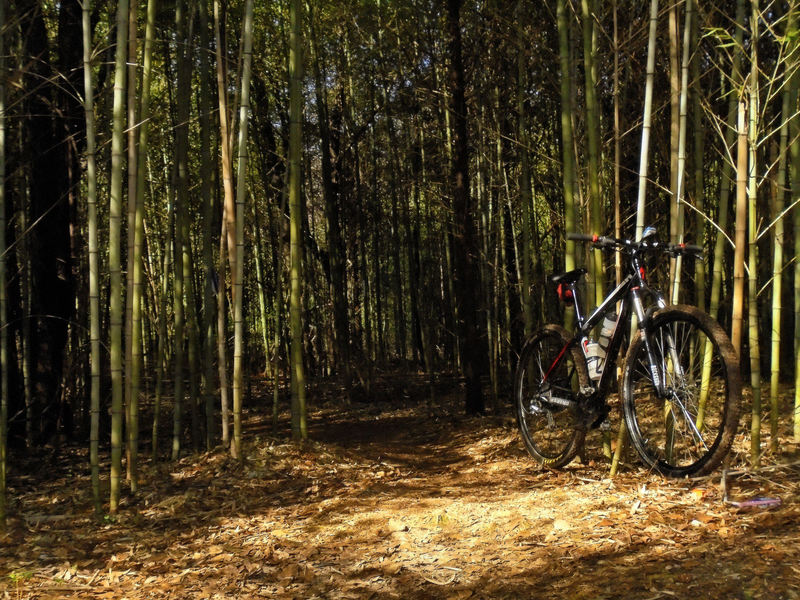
<point x="546" y="397"/>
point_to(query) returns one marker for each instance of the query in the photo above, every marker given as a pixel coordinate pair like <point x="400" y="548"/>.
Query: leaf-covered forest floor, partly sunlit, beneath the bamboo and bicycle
<point x="405" y="498"/>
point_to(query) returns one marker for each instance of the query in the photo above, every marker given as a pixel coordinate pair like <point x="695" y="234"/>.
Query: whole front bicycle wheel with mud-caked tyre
<point x="681" y="400"/>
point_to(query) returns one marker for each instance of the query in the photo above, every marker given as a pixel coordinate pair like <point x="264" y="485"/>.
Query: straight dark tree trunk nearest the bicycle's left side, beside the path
<point x="467" y="277"/>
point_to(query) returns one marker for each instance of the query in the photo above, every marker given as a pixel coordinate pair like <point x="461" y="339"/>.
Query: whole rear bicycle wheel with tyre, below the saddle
<point x="546" y="385"/>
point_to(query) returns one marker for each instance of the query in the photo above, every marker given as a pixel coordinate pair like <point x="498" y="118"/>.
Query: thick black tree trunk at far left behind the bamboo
<point x="54" y="127"/>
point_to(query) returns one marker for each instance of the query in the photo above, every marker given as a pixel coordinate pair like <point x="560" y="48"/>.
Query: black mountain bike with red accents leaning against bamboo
<point x="680" y="385"/>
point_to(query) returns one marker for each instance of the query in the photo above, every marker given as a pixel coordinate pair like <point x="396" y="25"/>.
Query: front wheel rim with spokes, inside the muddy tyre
<point x="680" y="430"/>
